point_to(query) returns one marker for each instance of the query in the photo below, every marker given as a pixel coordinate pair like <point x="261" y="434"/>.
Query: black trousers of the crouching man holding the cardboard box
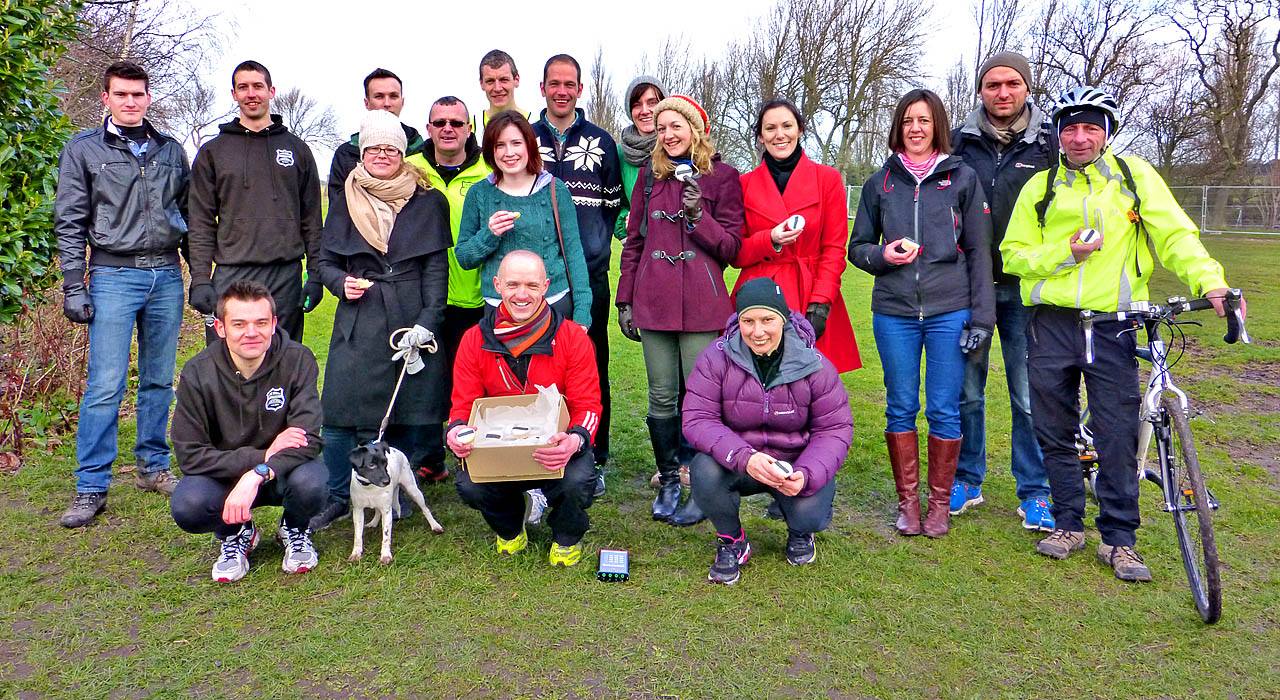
<point x="504" y="504"/>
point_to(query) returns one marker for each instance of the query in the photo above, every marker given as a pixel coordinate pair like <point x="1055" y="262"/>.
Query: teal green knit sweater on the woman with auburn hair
<point x="536" y="231"/>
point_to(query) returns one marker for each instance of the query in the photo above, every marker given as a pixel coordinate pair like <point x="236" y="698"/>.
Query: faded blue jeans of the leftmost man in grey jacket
<point x="124" y="298"/>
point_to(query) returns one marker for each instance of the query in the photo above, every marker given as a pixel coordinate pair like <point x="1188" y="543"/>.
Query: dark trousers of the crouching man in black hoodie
<point x="198" y="502"/>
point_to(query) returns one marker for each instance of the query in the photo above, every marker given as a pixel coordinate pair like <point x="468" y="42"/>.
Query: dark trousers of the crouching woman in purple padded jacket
<point x="720" y="492"/>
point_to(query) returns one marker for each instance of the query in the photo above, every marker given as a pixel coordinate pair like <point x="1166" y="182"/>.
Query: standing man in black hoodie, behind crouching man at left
<point x="255" y="208"/>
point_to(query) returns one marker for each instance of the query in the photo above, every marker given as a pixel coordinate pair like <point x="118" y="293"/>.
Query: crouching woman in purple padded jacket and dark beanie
<point x="766" y="413"/>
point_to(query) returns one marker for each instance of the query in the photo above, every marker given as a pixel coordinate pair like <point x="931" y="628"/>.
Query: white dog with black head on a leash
<point x="378" y="473"/>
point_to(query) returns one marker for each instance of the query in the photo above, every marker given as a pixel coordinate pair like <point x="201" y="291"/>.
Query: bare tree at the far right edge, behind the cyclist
<point x="1236" y="45"/>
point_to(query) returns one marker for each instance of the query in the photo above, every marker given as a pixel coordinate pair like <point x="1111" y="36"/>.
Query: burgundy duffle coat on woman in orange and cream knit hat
<point x="666" y="291"/>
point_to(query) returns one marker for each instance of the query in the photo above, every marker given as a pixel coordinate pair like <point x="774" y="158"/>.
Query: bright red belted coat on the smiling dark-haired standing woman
<point x="808" y="271"/>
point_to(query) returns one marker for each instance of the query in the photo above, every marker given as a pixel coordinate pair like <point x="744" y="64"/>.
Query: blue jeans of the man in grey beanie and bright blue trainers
<point x="1026" y="460"/>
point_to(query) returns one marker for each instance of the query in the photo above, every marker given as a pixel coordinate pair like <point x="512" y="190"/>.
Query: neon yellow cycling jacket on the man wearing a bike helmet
<point x="1117" y="273"/>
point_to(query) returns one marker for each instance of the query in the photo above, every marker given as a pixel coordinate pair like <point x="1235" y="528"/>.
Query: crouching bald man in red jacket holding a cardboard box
<point x="524" y="346"/>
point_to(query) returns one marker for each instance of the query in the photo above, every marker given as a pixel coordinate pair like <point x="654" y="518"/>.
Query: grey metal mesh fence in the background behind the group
<point x="1215" y="209"/>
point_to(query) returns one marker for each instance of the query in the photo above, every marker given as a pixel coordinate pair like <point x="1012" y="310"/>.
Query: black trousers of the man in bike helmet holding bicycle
<point x="1057" y="364"/>
